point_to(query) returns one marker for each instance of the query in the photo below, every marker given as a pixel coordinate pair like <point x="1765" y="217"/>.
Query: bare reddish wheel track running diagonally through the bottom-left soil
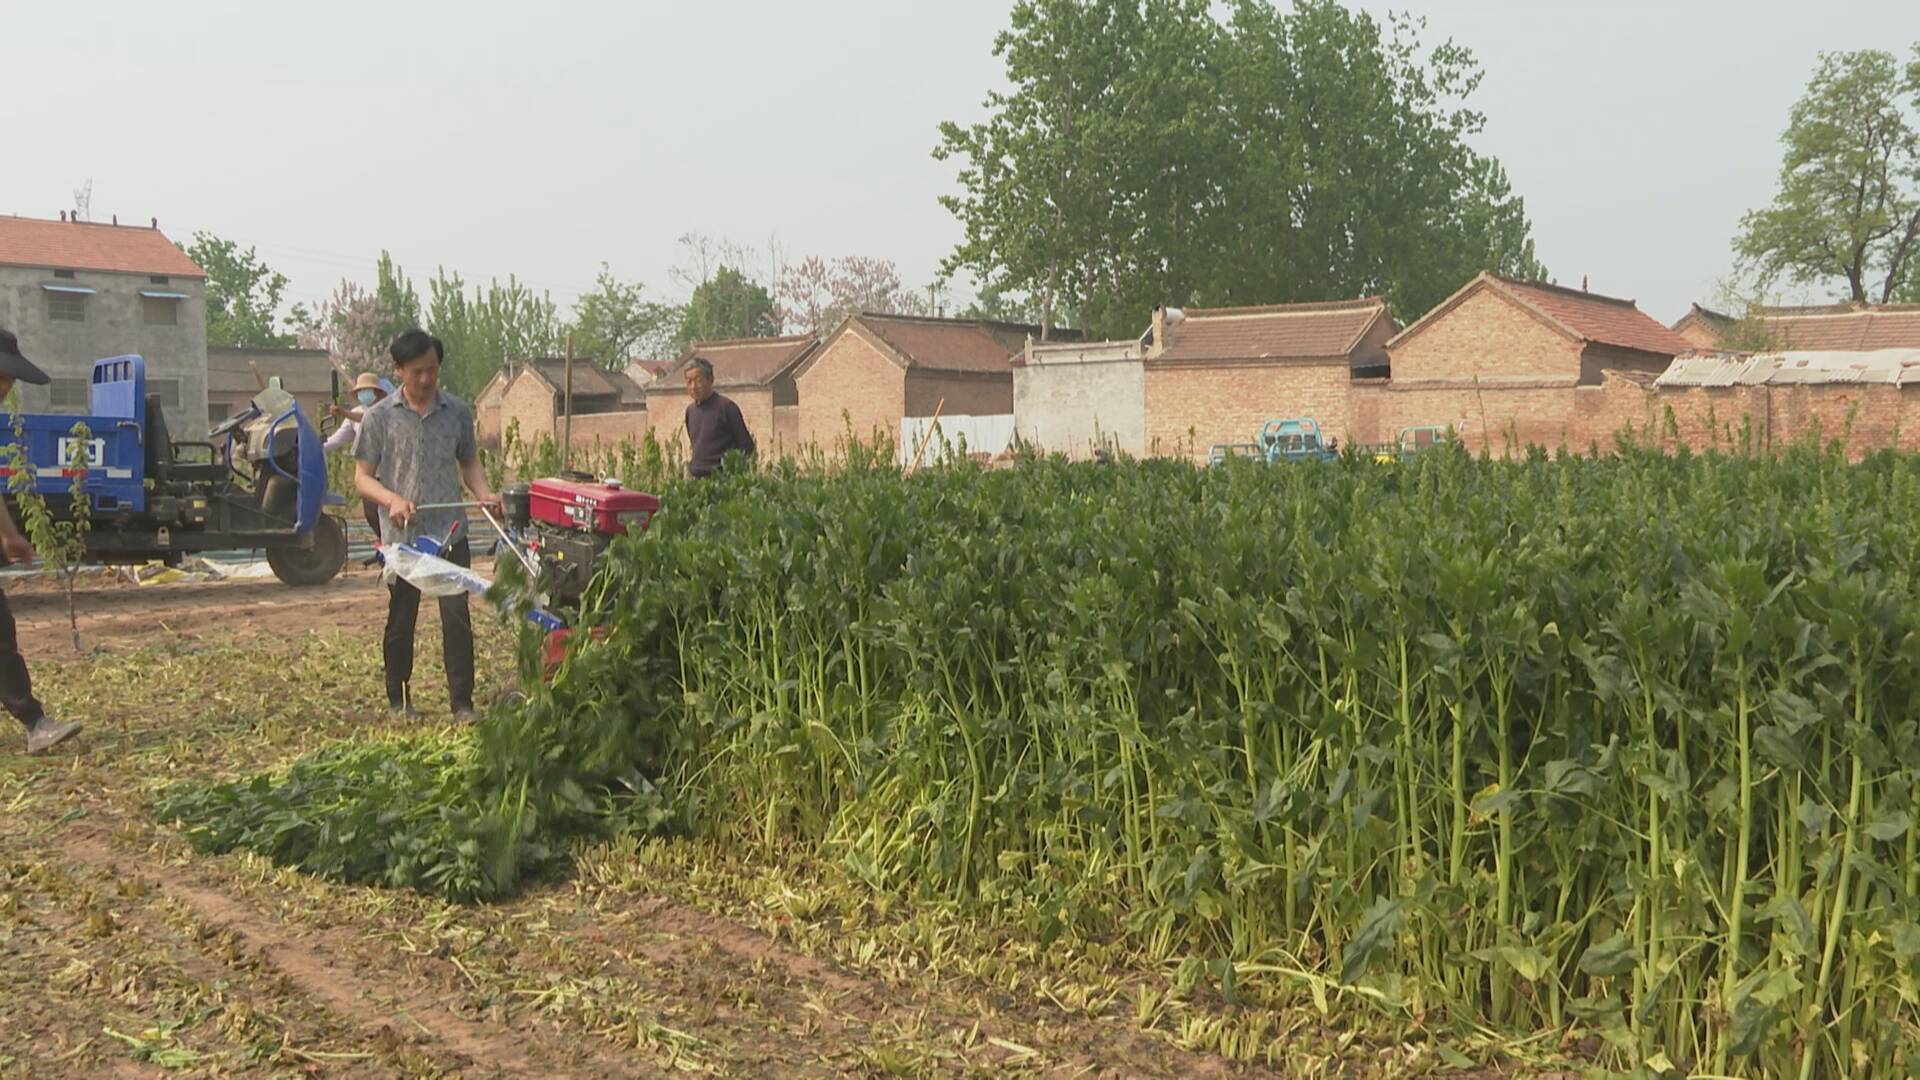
<point x="339" y="987"/>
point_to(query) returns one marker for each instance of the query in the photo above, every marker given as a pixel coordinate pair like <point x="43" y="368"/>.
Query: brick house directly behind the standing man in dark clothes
<point x="756" y="374"/>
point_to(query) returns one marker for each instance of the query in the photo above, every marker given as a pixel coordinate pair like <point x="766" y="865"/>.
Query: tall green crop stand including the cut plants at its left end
<point x="1620" y="745"/>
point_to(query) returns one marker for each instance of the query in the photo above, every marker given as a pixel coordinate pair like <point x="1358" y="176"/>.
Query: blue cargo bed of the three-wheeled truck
<point x="116" y="428"/>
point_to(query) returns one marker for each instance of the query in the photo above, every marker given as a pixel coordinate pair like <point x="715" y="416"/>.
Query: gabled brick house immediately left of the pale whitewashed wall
<point x="873" y="372"/>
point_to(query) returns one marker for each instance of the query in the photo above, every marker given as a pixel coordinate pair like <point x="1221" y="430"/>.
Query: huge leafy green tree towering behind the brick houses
<point x="1151" y="153"/>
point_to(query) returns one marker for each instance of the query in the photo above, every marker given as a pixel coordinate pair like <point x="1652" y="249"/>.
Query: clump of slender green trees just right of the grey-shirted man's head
<point x="489" y="328"/>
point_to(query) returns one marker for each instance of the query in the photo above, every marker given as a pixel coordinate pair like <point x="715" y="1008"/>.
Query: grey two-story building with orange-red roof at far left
<point x="78" y="293"/>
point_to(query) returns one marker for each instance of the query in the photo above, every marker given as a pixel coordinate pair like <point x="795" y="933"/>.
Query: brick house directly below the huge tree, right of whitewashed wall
<point x="1218" y="376"/>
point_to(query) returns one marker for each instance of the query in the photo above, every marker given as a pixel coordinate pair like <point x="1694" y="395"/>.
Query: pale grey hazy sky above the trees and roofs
<point x="544" y="139"/>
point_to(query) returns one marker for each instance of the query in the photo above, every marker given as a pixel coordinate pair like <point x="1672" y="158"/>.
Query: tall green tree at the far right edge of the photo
<point x="1850" y="184"/>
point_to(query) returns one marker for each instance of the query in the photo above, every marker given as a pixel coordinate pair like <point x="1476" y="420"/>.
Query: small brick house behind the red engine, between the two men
<point x="535" y="395"/>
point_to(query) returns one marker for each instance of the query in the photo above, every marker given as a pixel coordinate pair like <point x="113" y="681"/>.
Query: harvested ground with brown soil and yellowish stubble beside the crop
<point x="126" y="954"/>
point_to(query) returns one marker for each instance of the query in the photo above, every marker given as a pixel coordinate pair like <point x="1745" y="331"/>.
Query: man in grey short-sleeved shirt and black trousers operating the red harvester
<point x="416" y="449"/>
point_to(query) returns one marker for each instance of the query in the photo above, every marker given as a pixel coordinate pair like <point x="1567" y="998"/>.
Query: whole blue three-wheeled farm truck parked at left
<point x="256" y="483"/>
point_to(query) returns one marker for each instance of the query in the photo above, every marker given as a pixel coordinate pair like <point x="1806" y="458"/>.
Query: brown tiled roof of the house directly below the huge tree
<point x="1278" y="331"/>
